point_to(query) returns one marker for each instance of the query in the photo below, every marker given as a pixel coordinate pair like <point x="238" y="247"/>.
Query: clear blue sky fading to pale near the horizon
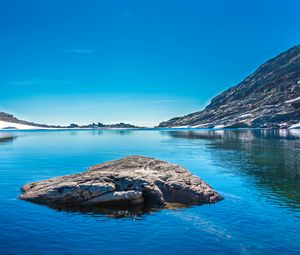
<point x="142" y="62"/>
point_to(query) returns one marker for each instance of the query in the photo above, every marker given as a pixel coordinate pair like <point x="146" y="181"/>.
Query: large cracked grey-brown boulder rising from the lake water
<point x="130" y="181"/>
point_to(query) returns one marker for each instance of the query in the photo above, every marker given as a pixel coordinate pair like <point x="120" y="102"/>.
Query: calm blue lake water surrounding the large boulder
<point x="257" y="172"/>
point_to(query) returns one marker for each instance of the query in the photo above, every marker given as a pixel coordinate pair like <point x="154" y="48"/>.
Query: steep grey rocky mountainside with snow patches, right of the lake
<point x="268" y="98"/>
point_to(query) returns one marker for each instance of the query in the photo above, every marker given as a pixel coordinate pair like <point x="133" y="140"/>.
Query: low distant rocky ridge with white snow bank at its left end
<point x="8" y="121"/>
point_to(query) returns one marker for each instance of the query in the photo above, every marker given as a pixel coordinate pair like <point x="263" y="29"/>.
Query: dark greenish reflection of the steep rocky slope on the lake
<point x="270" y="157"/>
